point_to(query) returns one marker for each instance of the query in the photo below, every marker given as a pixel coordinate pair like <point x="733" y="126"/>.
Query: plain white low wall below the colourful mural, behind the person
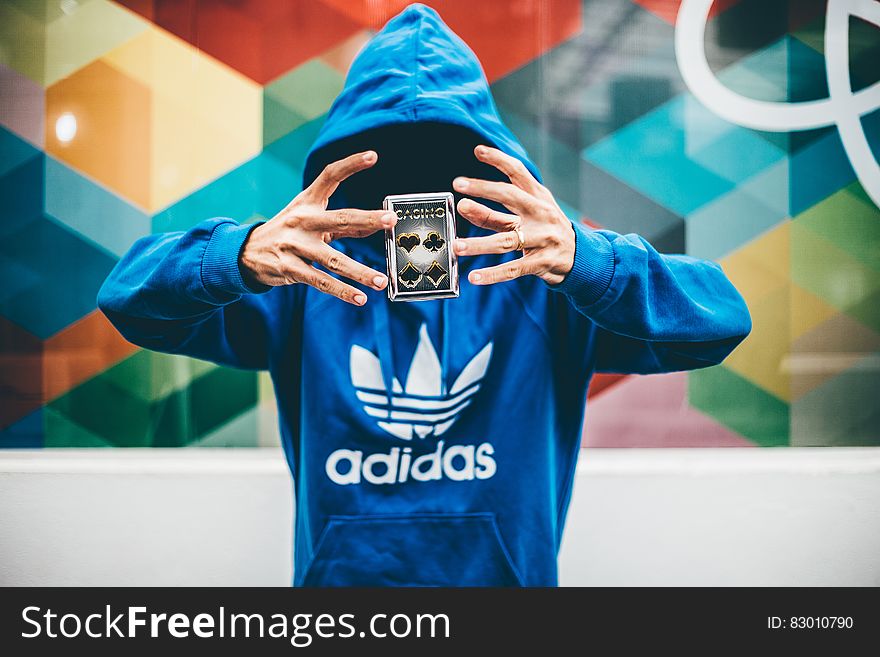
<point x="638" y="517"/>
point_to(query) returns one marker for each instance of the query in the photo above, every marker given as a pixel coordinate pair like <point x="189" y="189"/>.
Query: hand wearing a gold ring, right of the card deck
<point x="547" y="234"/>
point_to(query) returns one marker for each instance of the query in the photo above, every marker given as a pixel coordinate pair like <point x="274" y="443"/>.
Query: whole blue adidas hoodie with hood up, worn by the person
<point x="430" y="443"/>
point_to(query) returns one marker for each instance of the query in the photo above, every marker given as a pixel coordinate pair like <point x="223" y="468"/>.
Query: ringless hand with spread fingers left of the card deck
<point x="281" y="251"/>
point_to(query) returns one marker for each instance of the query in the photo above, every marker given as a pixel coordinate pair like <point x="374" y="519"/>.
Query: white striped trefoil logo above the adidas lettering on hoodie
<point x="423" y="406"/>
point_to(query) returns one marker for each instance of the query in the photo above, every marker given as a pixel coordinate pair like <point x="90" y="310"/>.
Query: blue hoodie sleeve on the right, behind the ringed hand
<point x="655" y="313"/>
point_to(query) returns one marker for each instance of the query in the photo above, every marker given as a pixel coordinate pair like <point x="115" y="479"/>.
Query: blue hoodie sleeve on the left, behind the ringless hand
<point x="183" y="293"/>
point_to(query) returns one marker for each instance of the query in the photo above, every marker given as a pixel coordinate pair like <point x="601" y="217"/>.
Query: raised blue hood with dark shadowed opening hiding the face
<point x="417" y="95"/>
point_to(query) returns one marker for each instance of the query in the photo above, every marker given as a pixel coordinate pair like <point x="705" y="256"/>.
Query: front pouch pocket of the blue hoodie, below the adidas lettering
<point x="423" y="549"/>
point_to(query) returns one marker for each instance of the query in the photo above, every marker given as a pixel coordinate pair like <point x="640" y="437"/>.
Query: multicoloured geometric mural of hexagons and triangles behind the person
<point x="120" y="119"/>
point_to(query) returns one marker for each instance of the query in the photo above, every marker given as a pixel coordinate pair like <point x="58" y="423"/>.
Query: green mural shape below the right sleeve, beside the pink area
<point x="739" y="405"/>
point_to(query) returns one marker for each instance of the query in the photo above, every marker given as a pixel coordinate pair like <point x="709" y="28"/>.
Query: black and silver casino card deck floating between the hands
<point x="421" y="263"/>
